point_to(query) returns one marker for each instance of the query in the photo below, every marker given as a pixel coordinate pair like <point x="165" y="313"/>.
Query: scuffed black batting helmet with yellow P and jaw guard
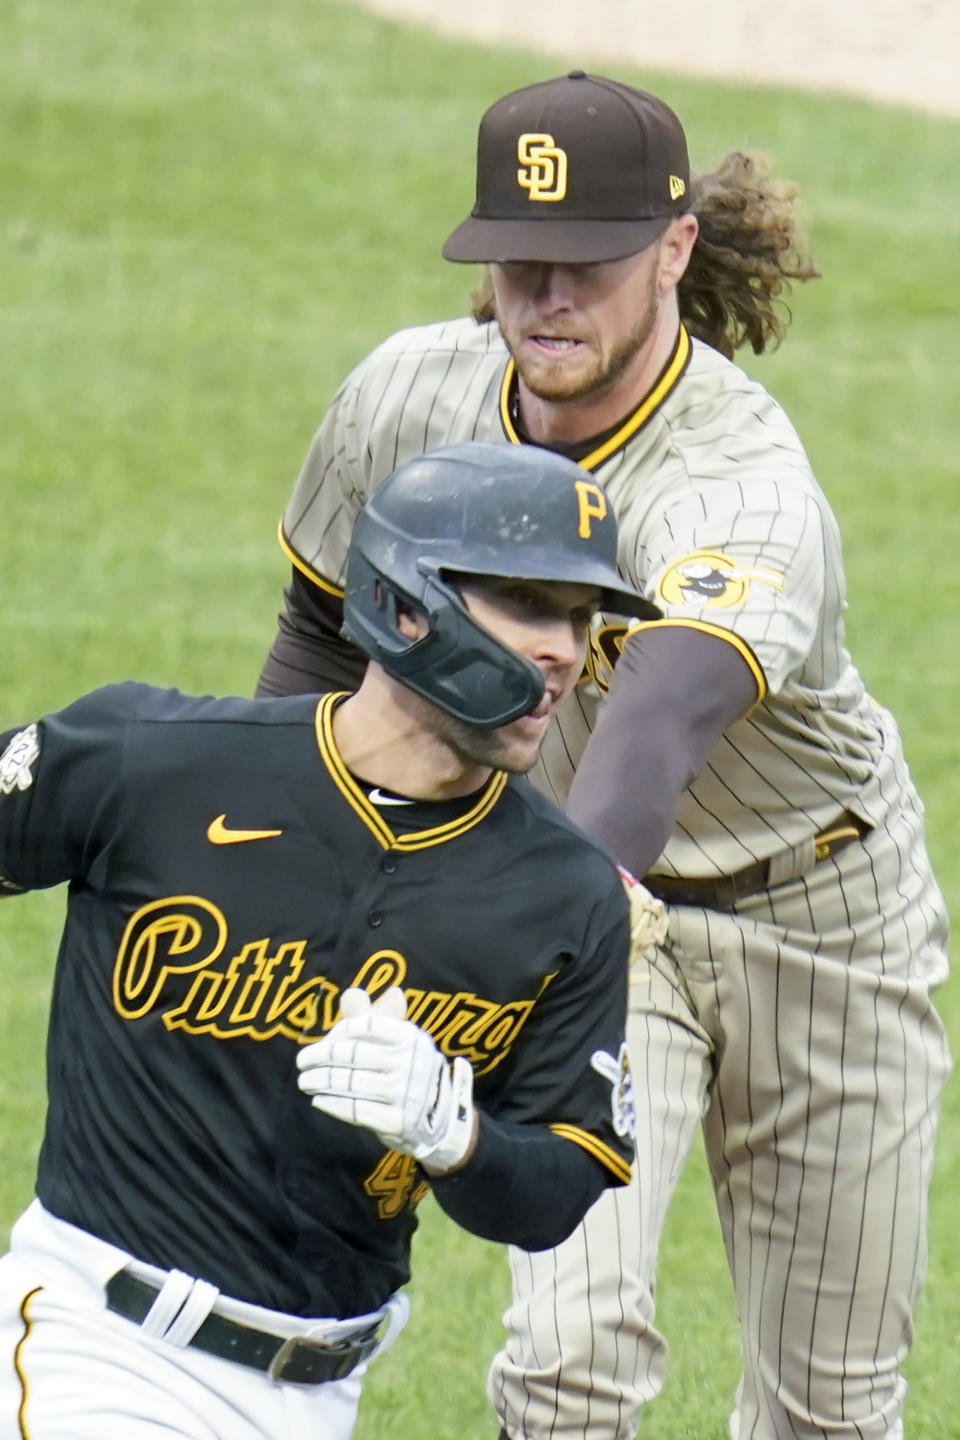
<point x="487" y="510"/>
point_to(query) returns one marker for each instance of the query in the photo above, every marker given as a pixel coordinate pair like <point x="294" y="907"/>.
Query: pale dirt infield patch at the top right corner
<point x="899" y="53"/>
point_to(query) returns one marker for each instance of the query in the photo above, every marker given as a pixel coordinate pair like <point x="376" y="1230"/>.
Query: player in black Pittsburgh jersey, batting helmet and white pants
<point x="320" y="957"/>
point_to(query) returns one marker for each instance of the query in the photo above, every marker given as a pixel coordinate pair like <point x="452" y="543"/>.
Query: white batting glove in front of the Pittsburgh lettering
<point x="379" y="1071"/>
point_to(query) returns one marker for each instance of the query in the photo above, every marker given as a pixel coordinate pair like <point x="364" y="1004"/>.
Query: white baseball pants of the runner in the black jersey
<point x="71" y="1370"/>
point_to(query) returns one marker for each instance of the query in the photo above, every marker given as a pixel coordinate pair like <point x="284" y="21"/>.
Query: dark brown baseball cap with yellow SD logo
<point x="574" y="171"/>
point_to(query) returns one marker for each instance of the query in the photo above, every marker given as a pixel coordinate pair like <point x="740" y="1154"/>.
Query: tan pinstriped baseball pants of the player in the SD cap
<point x="801" y="1033"/>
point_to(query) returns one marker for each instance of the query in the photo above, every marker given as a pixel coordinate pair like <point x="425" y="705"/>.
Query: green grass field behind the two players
<point x="209" y="212"/>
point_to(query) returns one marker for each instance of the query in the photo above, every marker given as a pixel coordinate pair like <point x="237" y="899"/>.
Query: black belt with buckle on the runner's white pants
<point x="299" y="1360"/>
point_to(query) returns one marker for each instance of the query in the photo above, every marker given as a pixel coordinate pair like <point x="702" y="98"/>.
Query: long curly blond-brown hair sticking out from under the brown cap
<point x="748" y="256"/>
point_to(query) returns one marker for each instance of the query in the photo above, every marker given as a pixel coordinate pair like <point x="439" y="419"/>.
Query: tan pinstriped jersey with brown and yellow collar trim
<point x="722" y="523"/>
